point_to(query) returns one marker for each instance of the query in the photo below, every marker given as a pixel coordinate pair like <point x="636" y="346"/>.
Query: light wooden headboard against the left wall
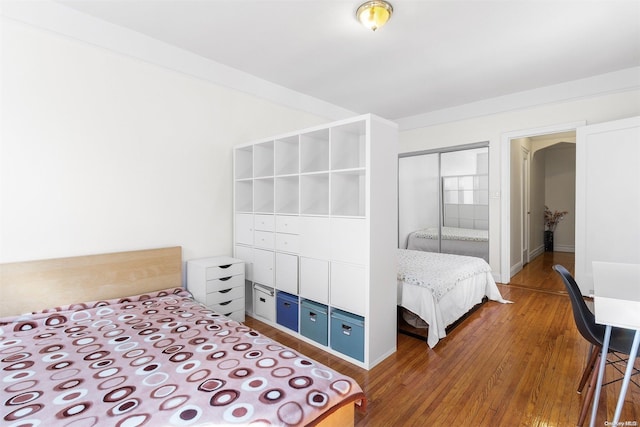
<point x="37" y="285"/>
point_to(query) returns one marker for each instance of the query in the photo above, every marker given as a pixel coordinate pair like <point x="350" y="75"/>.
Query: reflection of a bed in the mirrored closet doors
<point x="455" y="240"/>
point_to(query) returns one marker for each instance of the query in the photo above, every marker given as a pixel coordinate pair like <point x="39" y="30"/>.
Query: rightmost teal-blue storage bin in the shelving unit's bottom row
<point x="347" y="334"/>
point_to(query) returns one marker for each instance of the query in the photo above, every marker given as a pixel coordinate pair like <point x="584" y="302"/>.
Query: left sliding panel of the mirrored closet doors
<point x="418" y="194"/>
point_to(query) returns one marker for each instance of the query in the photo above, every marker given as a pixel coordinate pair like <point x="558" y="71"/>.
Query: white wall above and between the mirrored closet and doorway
<point x="490" y="128"/>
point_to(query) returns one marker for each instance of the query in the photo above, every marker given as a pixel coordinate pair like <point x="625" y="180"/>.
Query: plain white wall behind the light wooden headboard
<point x="102" y="152"/>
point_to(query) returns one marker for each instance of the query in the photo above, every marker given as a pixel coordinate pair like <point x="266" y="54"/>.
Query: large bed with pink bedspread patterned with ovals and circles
<point x="157" y="359"/>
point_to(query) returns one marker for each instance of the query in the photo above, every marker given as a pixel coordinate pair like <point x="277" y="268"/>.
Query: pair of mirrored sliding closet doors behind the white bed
<point x="444" y="200"/>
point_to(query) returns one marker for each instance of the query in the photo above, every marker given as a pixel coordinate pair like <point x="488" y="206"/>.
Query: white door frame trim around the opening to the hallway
<point x="505" y="185"/>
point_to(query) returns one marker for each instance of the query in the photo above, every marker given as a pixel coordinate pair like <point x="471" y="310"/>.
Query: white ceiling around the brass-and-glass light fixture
<point x="432" y="55"/>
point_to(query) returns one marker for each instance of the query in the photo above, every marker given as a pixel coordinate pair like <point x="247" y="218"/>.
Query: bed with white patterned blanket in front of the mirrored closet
<point x="441" y="288"/>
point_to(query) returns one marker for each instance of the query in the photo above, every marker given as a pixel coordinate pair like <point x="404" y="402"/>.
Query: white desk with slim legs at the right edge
<point x="616" y="303"/>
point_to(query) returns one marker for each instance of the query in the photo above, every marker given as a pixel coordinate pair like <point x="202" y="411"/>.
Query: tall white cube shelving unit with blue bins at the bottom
<point x="316" y="223"/>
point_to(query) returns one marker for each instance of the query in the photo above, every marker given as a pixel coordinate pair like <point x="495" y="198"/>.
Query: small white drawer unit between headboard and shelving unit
<point x="218" y="283"/>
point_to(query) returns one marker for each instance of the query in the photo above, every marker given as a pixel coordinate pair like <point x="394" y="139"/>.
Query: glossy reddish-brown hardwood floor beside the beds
<point x="506" y="364"/>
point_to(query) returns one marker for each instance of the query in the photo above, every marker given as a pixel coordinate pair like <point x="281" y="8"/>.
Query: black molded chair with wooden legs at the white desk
<point x="621" y="339"/>
